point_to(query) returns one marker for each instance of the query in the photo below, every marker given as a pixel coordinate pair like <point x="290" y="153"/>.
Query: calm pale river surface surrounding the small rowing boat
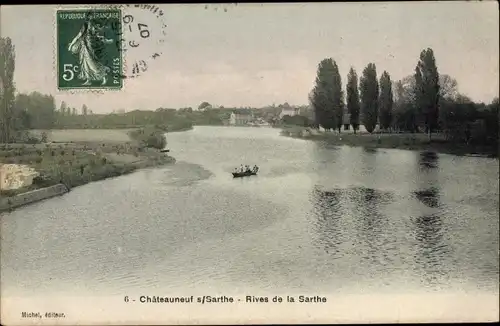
<point x="317" y="217"/>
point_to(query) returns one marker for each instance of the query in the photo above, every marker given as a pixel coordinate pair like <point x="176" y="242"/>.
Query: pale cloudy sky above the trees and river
<point x="259" y="54"/>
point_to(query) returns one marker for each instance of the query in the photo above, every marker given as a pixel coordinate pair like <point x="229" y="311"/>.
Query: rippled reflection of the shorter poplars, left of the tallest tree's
<point x="350" y="221"/>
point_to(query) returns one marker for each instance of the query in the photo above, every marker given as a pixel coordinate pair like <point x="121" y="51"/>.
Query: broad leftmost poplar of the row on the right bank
<point x="322" y="97"/>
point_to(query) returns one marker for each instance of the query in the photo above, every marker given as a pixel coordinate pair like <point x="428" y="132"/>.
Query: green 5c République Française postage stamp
<point x="89" y="54"/>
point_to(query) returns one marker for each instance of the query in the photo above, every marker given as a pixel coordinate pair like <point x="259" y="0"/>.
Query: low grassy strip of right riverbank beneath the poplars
<point x="406" y="141"/>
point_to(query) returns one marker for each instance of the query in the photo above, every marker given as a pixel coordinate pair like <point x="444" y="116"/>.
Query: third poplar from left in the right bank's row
<point x="369" y="90"/>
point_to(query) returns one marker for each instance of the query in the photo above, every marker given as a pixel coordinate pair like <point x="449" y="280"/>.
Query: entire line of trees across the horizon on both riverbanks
<point x="422" y="102"/>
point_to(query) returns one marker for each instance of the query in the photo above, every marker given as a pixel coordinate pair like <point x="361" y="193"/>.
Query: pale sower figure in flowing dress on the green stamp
<point x="89" y="45"/>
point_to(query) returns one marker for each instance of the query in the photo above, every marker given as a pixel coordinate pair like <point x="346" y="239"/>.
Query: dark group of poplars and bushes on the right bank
<point x="422" y="102"/>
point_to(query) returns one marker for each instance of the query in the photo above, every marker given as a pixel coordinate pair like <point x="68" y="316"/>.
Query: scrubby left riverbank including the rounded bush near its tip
<point x="75" y="163"/>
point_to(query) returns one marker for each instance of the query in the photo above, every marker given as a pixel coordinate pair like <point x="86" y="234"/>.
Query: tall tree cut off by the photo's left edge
<point x="7" y="89"/>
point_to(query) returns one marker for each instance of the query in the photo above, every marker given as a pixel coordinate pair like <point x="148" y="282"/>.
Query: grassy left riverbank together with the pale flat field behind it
<point x="75" y="159"/>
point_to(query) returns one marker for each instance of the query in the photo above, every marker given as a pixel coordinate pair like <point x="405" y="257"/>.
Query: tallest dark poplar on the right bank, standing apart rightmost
<point x="427" y="90"/>
